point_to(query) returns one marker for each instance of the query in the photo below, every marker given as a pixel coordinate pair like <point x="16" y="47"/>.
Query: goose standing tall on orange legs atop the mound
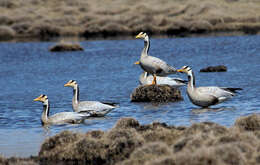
<point x="153" y="65"/>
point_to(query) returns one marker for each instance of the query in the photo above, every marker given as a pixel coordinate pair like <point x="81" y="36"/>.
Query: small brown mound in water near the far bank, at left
<point x="60" y="47"/>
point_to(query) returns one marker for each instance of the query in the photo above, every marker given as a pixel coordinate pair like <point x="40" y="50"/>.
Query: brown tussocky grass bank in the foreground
<point x="129" y="143"/>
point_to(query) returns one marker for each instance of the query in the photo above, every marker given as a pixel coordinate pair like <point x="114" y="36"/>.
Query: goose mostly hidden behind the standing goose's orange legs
<point x="146" y="79"/>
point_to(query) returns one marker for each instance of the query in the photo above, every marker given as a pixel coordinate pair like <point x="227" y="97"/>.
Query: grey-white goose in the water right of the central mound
<point x="206" y="96"/>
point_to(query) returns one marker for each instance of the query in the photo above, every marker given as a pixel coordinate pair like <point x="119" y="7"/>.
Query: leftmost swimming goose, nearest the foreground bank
<point x="58" y="118"/>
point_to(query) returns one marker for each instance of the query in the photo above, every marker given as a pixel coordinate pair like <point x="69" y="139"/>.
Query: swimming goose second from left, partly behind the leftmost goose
<point x="96" y="108"/>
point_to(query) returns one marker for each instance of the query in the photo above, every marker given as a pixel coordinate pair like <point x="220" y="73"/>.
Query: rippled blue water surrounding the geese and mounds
<point x="105" y="72"/>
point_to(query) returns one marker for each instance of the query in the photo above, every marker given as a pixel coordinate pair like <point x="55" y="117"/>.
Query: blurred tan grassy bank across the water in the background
<point x="105" y="18"/>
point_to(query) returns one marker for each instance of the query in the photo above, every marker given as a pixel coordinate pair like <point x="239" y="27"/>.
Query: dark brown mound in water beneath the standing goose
<point x="156" y="93"/>
